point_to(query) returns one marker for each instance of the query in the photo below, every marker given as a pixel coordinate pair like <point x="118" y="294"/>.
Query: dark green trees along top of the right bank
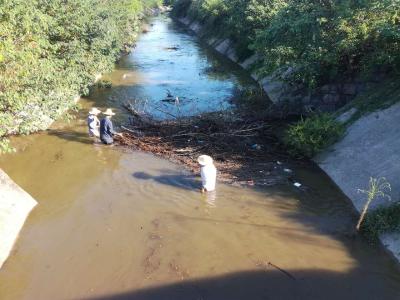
<point x="317" y="40"/>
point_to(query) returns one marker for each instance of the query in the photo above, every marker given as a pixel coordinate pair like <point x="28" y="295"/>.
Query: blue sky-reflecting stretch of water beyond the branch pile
<point x="152" y="69"/>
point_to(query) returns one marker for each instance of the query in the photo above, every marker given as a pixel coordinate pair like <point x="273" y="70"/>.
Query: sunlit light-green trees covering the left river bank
<point x="51" y="51"/>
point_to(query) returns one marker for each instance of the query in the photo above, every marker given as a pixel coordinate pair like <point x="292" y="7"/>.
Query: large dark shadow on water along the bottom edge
<point x="270" y="282"/>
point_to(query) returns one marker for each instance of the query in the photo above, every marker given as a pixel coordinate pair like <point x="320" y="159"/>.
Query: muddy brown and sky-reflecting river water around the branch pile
<point x="117" y="224"/>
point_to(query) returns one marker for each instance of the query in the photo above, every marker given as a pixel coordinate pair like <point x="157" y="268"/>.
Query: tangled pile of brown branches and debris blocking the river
<point x="244" y="148"/>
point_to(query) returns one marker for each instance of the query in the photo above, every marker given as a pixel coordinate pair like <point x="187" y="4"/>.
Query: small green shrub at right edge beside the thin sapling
<point x="381" y="220"/>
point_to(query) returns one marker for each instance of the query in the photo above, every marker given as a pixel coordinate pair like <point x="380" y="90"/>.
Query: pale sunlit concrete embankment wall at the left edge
<point x="15" y="206"/>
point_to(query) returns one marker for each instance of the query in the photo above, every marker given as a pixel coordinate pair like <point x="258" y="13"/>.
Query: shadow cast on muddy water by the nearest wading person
<point x="179" y="180"/>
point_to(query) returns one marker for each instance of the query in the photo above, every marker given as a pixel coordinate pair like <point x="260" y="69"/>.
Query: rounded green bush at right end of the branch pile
<point x="310" y="136"/>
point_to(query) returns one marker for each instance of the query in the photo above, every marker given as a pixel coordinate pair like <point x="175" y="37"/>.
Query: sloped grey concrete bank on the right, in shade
<point x="370" y="148"/>
